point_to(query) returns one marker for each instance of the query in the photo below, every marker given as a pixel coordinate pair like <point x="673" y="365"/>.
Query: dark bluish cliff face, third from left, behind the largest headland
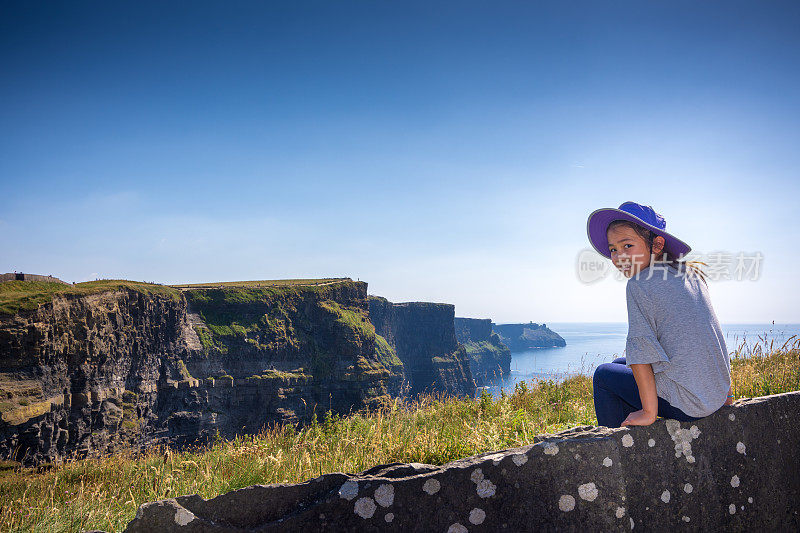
<point x="424" y="338"/>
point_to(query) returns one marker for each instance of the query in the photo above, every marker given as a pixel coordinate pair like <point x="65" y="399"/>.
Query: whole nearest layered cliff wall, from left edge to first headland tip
<point x="87" y="373"/>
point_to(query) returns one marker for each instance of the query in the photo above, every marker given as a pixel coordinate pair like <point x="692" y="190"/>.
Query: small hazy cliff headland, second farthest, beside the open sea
<point x="489" y="358"/>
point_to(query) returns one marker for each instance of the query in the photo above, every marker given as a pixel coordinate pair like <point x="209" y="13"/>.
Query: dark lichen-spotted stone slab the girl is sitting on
<point x="735" y="470"/>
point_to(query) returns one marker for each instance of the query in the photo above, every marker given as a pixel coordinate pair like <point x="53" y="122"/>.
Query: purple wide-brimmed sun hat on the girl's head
<point x="644" y="215"/>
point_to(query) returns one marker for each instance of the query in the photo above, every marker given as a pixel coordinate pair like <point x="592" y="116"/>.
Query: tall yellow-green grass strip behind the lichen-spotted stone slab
<point x="104" y="493"/>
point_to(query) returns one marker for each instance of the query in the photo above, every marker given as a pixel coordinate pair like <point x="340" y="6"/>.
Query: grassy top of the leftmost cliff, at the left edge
<point x="18" y="296"/>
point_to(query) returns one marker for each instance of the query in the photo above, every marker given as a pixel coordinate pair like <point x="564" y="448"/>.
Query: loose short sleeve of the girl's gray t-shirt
<point x="642" y="346"/>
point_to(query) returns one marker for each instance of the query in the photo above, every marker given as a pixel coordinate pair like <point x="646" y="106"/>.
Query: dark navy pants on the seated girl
<point x="616" y="396"/>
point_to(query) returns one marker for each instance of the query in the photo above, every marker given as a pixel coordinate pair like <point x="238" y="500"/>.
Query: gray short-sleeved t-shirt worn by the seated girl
<point x="672" y="325"/>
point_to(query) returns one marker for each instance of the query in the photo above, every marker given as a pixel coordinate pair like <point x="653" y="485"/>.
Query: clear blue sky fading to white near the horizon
<point x="441" y="151"/>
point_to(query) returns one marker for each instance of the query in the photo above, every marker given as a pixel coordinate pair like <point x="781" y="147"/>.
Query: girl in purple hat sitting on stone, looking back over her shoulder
<point x="677" y="364"/>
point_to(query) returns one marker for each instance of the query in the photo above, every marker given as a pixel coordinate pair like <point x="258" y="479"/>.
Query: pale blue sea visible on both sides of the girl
<point x="592" y="343"/>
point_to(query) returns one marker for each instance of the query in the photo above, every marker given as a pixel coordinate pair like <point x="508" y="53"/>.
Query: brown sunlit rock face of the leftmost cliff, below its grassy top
<point x="81" y="374"/>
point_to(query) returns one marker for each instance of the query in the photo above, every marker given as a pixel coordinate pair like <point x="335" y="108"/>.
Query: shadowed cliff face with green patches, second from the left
<point x="277" y="354"/>
